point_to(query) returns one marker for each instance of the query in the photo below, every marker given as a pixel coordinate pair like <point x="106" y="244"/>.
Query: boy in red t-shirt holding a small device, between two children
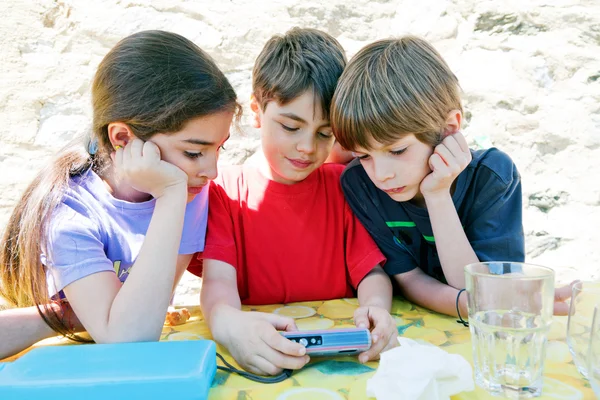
<point x="281" y="231"/>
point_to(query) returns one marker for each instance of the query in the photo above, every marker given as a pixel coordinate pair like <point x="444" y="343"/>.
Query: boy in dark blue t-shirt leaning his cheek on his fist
<point x="431" y="204"/>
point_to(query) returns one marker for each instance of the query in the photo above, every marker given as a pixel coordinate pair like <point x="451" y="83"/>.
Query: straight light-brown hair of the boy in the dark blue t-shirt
<point x="392" y="88"/>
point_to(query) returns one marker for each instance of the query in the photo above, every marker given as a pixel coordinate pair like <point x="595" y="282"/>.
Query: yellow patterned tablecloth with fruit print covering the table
<point x="345" y="378"/>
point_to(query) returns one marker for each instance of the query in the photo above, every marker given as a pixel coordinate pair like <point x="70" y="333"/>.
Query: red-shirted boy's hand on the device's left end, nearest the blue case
<point x="257" y="346"/>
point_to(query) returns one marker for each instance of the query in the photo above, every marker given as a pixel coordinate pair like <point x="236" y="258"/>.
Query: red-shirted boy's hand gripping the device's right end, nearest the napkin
<point x="384" y="333"/>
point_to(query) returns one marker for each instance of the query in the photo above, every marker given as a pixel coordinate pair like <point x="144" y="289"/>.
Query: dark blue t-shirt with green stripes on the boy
<point x="487" y="198"/>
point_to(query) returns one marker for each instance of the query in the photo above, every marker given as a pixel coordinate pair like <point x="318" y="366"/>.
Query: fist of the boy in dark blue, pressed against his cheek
<point x="448" y="160"/>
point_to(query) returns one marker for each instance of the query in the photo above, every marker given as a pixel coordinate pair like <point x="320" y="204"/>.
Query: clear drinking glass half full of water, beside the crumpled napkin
<point x="510" y="312"/>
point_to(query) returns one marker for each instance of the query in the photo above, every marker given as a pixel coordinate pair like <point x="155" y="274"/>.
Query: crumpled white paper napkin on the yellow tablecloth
<point x="416" y="371"/>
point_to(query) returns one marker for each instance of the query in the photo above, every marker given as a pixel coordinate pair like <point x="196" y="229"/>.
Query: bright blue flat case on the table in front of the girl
<point x="178" y="370"/>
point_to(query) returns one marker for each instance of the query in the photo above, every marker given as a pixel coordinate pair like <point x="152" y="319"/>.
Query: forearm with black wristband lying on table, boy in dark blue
<point x="428" y="292"/>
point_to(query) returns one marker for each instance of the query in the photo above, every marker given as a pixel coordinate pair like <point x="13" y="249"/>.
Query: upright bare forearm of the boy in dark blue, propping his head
<point x="453" y="247"/>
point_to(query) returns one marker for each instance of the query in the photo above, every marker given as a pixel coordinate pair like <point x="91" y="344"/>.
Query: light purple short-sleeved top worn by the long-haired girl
<point x="91" y="231"/>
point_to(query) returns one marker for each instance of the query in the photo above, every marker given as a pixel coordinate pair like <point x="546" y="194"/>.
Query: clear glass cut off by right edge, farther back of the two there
<point x="584" y="298"/>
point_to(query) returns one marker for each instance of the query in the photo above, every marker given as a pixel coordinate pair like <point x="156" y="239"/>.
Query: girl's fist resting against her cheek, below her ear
<point x="140" y="165"/>
